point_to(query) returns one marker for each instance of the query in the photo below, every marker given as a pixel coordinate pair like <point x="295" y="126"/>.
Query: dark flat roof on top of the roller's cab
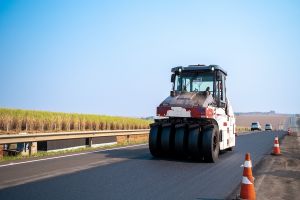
<point x="199" y="68"/>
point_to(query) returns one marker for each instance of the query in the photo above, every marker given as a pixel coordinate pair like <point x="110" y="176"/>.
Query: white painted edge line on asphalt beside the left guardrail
<point x="71" y="155"/>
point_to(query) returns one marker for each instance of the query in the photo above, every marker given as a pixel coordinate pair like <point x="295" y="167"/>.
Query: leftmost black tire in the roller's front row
<point x="154" y="140"/>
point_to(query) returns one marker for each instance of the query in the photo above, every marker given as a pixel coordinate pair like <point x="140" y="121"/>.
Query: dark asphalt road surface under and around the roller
<point x="132" y="173"/>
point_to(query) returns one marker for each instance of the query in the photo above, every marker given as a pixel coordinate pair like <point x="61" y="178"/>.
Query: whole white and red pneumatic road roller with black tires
<point x="196" y="120"/>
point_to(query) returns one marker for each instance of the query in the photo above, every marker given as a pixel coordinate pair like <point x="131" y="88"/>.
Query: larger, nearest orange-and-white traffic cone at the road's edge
<point x="247" y="186"/>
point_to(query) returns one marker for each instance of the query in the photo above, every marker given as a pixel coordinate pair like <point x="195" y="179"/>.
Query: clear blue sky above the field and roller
<point x="114" y="57"/>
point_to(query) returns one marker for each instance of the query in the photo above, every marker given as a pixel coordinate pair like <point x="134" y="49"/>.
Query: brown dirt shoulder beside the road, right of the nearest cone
<point x="278" y="177"/>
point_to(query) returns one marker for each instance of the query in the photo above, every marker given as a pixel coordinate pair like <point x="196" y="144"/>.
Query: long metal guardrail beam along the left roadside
<point x="38" y="137"/>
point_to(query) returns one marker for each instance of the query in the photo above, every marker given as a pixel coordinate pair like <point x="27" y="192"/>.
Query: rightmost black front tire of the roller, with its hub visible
<point x="211" y="144"/>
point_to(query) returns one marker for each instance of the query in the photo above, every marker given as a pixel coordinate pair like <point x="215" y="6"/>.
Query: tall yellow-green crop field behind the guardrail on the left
<point x="16" y="120"/>
